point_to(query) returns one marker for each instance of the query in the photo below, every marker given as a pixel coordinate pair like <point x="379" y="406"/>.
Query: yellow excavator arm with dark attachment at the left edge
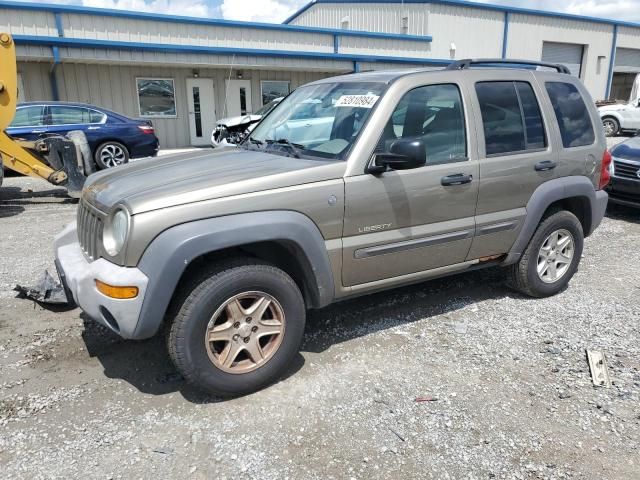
<point x="63" y="161"/>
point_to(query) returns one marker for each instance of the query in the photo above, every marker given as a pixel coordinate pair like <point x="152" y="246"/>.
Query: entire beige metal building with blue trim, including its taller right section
<point x="184" y="73"/>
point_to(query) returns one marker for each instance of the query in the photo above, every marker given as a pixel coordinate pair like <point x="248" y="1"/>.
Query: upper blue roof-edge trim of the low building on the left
<point x="216" y="22"/>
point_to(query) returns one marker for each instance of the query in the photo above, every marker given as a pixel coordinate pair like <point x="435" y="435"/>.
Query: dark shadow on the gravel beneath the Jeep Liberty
<point x="146" y="364"/>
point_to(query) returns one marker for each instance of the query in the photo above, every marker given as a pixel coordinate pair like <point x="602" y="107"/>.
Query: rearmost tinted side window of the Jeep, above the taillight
<point x="572" y="114"/>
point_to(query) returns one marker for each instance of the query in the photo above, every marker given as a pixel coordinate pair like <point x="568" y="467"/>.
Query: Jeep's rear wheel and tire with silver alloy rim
<point x="524" y="276"/>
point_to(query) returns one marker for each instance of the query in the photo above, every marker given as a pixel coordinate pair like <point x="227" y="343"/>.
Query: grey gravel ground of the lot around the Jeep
<point x="510" y="389"/>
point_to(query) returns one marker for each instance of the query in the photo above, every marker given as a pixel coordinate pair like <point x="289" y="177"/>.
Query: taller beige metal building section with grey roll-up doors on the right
<point x="604" y="53"/>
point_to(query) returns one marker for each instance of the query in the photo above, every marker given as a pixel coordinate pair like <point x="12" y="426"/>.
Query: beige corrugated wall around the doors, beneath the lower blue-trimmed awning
<point x="114" y="87"/>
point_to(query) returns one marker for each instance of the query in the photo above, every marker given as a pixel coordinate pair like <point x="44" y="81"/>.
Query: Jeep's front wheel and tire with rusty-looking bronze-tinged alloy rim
<point x="201" y="305"/>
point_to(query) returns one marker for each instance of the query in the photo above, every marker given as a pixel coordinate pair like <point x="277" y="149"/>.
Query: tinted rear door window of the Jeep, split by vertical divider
<point x="511" y="117"/>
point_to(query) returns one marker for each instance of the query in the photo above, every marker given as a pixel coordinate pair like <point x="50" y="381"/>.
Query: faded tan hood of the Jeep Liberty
<point x="162" y="182"/>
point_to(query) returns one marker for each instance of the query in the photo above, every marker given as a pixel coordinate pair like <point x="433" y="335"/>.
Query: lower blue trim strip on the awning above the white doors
<point x="172" y="48"/>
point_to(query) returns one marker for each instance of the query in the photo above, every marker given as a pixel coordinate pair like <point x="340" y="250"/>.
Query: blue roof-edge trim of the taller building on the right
<point x="482" y="6"/>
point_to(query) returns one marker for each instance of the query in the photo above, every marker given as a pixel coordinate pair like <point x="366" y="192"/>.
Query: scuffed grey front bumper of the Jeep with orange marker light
<point x="79" y="276"/>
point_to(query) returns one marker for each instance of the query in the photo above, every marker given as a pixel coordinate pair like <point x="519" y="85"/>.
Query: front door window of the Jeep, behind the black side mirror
<point x="434" y="114"/>
